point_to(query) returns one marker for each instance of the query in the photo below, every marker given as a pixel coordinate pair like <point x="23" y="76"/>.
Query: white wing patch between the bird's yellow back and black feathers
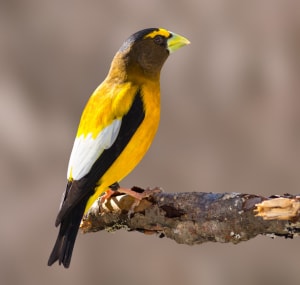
<point x="86" y="150"/>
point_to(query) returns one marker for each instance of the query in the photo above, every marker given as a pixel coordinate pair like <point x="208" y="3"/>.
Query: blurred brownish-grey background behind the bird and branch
<point x="230" y="122"/>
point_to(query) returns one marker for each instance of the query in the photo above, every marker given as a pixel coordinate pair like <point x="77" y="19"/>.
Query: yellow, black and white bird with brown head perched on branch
<point x="116" y="129"/>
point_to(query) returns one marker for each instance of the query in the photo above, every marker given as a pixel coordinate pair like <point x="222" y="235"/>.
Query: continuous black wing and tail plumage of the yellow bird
<point x="78" y="192"/>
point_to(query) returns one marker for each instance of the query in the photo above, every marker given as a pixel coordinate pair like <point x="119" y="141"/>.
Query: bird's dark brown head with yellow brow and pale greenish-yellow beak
<point x="144" y="52"/>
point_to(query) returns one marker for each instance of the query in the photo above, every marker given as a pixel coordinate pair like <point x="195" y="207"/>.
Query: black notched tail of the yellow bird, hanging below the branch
<point x="63" y="248"/>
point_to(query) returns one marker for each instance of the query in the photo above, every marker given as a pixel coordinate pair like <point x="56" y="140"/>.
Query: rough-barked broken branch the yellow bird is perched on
<point x="197" y="217"/>
